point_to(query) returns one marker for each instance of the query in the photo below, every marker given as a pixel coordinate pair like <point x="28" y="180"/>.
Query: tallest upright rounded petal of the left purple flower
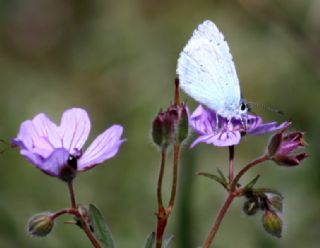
<point x="74" y="129"/>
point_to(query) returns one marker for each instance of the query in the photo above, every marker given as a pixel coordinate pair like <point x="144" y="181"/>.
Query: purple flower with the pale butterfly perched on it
<point x="219" y="131"/>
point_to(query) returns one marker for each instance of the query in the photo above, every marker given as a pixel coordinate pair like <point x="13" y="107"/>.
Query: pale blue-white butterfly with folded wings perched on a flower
<point x="207" y="73"/>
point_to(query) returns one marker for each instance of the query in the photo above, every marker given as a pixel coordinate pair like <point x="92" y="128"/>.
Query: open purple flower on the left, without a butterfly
<point x="57" y="150"/>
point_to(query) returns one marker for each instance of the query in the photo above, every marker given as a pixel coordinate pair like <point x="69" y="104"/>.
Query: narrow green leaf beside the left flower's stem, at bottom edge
<point x="100" y="229"/>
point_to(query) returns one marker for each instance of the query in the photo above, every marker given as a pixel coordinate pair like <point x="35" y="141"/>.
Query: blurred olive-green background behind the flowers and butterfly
<point x="117" y="59"/>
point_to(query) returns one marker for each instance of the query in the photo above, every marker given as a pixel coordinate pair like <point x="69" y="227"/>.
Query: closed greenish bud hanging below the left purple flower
<point x="40" y="225"/>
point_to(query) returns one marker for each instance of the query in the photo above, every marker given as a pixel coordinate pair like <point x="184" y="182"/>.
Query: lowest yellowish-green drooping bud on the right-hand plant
<point x="272" y="223"/>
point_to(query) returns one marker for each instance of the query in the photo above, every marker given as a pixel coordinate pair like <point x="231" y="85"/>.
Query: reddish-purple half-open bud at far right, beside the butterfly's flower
<point x="283" y="147"/>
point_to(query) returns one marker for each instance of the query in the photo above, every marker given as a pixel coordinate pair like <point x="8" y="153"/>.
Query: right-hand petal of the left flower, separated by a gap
<point x="105" y="146"/>
